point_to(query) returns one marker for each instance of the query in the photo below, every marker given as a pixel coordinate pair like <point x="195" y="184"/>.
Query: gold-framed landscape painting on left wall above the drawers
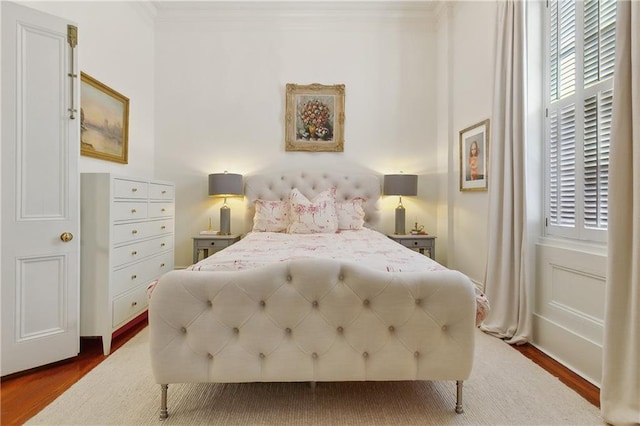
<point x="104" y="121"/>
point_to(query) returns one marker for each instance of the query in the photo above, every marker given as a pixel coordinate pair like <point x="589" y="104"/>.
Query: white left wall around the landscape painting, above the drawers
<point x="116" y="45"/>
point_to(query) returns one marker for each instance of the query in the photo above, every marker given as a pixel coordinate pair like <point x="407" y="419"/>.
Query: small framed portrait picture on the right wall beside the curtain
<point x="474" y="149"/>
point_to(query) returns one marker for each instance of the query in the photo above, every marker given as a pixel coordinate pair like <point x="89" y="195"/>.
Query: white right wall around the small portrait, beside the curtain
<point x="466" y="35"/>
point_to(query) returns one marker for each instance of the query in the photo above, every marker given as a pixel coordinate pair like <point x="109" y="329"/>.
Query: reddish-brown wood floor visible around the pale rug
<point x="23" y="395"/>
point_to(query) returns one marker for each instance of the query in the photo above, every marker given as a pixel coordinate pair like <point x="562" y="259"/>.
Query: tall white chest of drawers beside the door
<point x="127" y="239"/>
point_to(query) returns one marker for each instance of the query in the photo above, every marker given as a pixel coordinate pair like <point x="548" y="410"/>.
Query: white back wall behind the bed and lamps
<point x="220" y="82"/>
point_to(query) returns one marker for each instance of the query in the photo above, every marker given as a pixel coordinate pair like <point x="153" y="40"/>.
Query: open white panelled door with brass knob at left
<point x="40" y="148"/>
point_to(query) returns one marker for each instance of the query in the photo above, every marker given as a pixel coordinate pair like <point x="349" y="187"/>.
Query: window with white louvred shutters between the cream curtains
<point x="580" y="64"/>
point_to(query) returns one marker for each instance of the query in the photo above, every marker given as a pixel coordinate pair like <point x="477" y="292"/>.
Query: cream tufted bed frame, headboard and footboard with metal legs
<point x="218" y="326"/>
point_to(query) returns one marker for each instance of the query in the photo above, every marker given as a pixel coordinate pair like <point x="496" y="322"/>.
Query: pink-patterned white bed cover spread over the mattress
<point x="364" y="246"/>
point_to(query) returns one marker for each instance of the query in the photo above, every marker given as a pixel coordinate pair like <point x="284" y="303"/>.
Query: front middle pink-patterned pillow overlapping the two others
<point x="312" y="217"/>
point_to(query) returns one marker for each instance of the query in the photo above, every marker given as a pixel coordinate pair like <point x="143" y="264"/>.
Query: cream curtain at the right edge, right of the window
<point x="620" y="392"/>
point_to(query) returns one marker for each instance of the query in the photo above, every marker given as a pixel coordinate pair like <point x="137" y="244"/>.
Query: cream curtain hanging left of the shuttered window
<point x="506" y="274"/>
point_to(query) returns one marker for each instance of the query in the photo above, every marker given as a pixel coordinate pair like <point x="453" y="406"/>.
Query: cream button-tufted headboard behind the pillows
<point x="310" y="183"/>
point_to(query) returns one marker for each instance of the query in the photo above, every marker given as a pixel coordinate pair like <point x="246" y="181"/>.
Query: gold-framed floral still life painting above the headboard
<point x="314" y="118"/>
